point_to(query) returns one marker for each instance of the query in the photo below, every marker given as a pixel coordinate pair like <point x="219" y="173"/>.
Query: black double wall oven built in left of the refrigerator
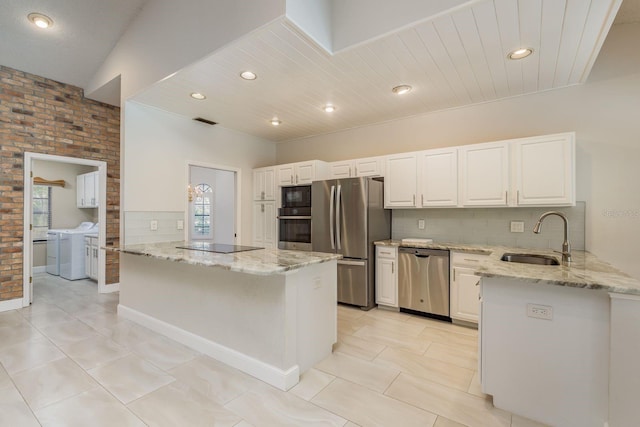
<point x="294" y="218"/>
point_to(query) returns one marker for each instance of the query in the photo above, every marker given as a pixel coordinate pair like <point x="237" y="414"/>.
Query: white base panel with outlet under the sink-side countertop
<point x="545" y="351"/>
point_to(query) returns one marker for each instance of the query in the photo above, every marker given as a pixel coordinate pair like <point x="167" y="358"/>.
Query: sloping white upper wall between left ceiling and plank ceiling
<point x="168" y="35"/>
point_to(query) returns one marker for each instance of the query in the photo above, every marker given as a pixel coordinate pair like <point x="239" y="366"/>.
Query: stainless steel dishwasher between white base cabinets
<point x="423" y="281"/>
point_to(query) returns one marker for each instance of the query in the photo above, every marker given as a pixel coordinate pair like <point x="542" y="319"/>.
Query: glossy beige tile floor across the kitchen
<point x="69" y="361"/>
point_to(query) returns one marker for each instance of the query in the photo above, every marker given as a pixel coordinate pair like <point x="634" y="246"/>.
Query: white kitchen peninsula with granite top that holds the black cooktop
<point x="270" y="313"/>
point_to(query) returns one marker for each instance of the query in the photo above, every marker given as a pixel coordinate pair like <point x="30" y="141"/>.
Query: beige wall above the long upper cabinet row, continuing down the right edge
<point x="604" y="112"/>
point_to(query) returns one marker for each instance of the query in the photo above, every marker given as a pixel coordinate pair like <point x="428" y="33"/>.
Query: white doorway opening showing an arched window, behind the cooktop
<point x="213" y="205"/>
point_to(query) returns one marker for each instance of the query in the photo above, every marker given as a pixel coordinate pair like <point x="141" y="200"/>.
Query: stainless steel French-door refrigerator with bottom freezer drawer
<point x="347" y="216"/>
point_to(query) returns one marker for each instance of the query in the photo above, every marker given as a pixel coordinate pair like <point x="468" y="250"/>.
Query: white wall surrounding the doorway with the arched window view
<point x="157" y="147"/>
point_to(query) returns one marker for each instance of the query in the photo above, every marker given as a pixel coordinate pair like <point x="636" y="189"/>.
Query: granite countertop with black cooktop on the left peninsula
<point x="258" y="262"/>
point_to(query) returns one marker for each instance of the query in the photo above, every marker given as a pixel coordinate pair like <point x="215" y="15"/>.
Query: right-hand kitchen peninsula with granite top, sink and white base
<point x="558" y="343"/>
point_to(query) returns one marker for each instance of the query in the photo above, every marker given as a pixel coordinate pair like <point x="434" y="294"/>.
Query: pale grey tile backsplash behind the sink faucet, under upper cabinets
<point x="492" y="226"/>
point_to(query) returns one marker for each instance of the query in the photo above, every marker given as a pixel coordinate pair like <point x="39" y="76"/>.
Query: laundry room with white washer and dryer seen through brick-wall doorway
<point x="65" y="213"/>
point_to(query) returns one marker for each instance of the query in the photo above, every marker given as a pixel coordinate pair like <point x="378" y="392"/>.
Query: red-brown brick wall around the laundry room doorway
<point x="39" y="115"/>
